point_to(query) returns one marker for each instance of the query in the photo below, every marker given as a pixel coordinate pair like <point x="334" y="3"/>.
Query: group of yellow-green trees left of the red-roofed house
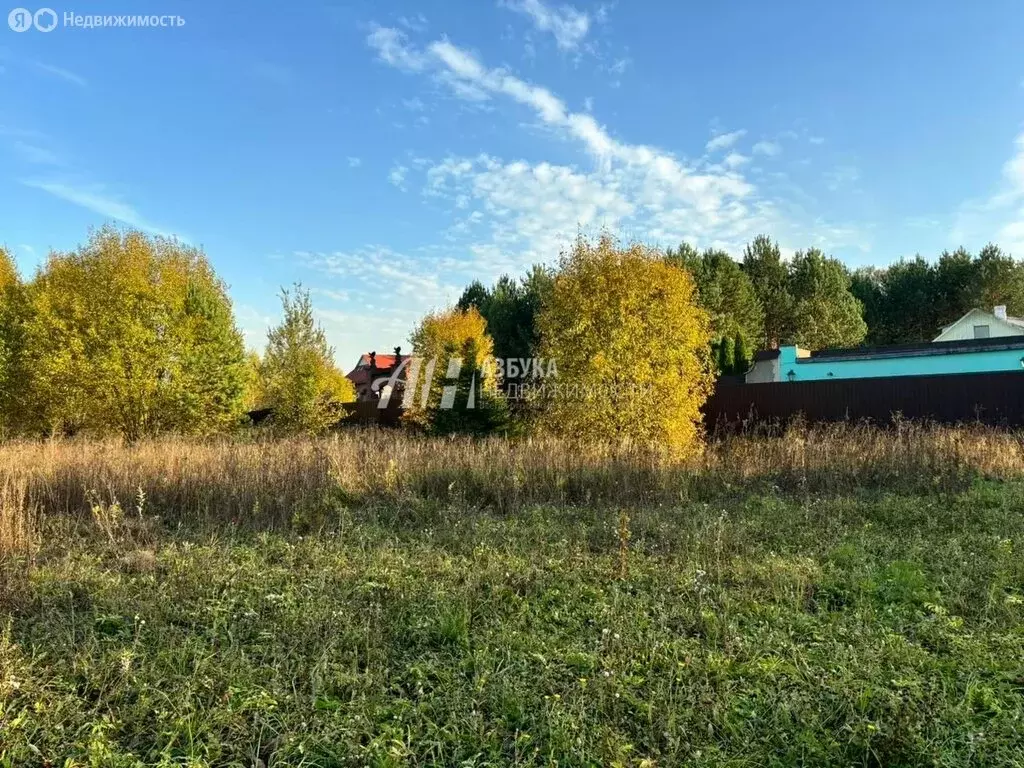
<point x="136" y="336"/>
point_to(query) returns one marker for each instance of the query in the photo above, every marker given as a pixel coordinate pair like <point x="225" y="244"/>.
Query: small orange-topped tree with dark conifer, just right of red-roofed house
<point x="441" y="339"/>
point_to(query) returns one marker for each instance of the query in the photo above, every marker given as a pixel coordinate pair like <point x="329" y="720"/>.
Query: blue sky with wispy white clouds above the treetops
<point x="385" y="154"/>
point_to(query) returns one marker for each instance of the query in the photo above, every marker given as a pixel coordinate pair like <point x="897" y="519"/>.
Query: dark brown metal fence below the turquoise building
<point x="991" y="399"/>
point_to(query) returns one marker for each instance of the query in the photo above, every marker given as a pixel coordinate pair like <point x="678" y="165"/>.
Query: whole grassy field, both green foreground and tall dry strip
<point x="829" y="598"/>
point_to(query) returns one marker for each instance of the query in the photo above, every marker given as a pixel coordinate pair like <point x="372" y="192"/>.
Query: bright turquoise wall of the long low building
<point x="914" y="364"/>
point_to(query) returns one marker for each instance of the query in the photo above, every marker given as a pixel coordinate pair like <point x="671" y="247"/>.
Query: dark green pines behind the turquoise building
<point x="814" y="301"/>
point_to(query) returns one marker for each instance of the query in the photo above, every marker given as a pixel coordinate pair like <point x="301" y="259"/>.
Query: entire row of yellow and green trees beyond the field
<point x="136" y="336"/>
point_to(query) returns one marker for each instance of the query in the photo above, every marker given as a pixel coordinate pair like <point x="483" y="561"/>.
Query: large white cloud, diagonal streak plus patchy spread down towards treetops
<point x="503" y="216"/>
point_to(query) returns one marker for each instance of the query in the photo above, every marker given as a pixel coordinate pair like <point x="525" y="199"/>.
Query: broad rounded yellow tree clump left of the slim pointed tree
<point x="131" y="335"/>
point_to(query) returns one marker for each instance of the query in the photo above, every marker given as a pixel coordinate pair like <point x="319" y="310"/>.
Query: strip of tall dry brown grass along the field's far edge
<point x="266" y="483"/>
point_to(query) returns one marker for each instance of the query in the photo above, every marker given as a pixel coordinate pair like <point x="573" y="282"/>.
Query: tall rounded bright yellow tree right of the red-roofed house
<point x="630" y="344"/>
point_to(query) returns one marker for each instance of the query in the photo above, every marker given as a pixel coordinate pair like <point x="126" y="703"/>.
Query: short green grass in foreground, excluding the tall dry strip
<point x="868" y="629"/>
